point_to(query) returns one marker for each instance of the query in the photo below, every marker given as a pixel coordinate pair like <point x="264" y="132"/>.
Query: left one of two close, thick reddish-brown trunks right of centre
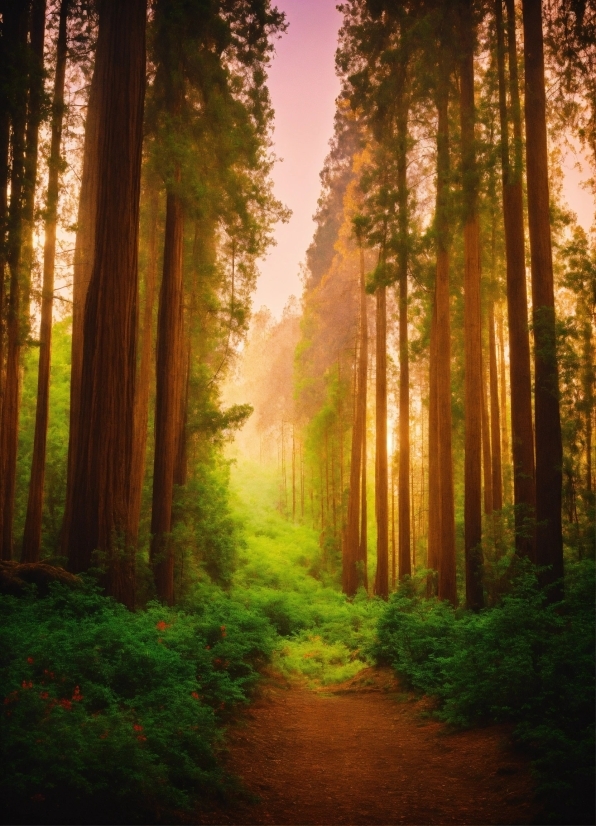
<point x="447" y="587"/>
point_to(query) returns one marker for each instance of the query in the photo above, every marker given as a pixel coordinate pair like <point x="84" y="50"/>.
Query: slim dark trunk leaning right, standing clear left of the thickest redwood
<point x="32" y="534"/>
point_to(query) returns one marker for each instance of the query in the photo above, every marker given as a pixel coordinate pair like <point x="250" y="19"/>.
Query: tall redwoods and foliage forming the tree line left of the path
<point x="173" y="207"/>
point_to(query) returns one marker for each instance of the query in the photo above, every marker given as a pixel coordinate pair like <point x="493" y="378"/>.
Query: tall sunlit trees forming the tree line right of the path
<point x="441" y="129"/>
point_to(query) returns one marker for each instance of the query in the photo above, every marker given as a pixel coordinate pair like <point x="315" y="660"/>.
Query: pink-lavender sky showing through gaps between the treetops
<point x="303" y="88"/>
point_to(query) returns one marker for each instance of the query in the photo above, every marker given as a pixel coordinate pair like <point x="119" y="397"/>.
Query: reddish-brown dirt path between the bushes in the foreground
<point x="365" y="754"/>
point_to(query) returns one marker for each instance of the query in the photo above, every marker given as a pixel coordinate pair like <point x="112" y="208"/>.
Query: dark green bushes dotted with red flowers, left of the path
<point x="111" y="716"/>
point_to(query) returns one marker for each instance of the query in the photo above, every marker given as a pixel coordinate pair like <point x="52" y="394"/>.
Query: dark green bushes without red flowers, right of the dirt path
<point x="523" y="661"/>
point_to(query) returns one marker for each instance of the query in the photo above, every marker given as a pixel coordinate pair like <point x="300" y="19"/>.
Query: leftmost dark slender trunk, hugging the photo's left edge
<point x="15" y="23"/>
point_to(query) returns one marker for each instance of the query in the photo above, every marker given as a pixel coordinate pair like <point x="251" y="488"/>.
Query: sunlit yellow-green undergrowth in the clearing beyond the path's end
<point x="282" y="576"/>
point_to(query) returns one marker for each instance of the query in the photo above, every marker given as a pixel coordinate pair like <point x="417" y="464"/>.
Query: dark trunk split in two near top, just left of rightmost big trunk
<point x="522" y="431"/>
